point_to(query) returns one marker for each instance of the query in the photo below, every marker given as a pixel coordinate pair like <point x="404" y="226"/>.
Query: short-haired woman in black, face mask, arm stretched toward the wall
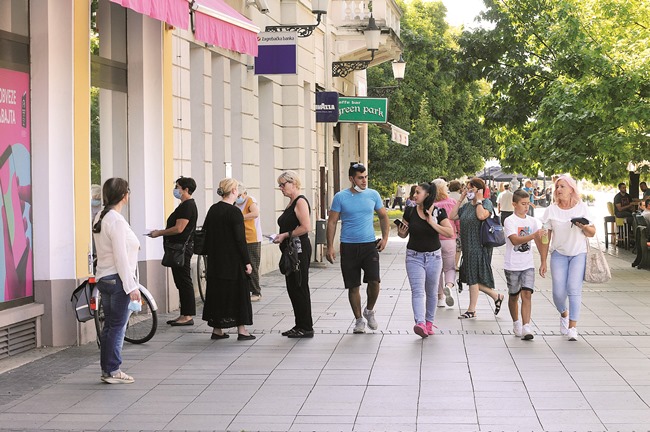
<point x="180" y="226"/>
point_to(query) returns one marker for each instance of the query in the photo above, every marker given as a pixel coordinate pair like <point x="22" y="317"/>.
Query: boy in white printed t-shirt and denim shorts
<point x="519" y="267"/>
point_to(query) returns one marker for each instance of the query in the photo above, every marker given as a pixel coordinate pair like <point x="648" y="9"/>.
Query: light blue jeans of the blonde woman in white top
<point x="567" y="273"/>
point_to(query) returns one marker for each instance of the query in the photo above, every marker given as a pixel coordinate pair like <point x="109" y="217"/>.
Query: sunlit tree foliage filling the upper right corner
<point x="570" y="83"/>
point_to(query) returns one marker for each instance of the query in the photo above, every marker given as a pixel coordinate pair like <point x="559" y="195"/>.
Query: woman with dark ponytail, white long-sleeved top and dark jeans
<point x="117" y="259"/>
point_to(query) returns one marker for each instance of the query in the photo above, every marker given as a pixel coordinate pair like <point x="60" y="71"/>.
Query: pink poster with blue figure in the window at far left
<point x="16" y="270"/>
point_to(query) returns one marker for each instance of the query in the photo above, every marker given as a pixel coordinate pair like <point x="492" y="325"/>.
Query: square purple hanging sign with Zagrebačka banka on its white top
<point x="277" y="53"/>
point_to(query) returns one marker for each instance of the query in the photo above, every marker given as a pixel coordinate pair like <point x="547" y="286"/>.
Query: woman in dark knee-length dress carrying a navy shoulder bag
<point x="477" y="259"/>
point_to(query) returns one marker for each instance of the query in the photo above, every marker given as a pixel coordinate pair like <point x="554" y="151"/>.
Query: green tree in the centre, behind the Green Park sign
<point x="442" y="112"/>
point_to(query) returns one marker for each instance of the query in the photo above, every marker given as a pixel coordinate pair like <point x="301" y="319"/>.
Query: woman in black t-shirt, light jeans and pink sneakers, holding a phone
<point x="426" y="223"/>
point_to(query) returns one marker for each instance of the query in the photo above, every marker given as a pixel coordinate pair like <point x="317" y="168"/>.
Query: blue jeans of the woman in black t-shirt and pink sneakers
<point x="423" y="270"/>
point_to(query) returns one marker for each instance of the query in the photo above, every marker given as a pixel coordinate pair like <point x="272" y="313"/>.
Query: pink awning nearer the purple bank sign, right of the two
<point x="218" y="24"/>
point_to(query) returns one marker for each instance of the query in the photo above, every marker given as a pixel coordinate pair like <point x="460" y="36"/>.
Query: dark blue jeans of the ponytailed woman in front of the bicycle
<point x="116" y="314"/>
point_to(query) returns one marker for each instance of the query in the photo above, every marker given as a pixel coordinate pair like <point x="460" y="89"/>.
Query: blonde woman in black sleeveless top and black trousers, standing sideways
<point x="295" y="220"/>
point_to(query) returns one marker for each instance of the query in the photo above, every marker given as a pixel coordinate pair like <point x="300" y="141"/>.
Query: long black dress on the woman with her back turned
<point x="227" y="299"/>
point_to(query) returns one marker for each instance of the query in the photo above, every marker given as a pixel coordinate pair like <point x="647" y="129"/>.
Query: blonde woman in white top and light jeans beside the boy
<point x="568" y="251"/>
